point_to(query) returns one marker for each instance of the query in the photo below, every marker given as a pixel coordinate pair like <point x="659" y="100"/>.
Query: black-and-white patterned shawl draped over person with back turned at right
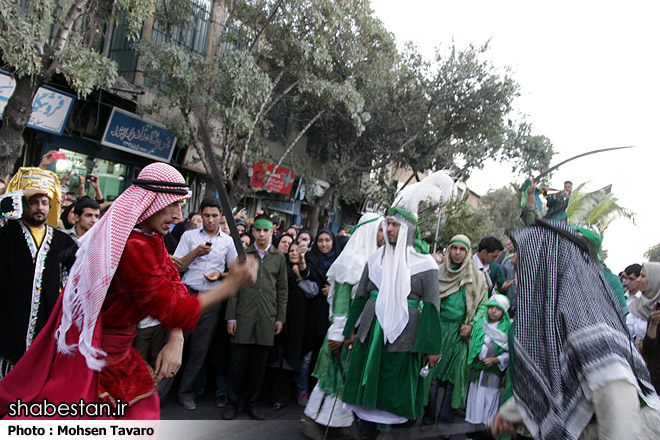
<point x="570" y="334"/>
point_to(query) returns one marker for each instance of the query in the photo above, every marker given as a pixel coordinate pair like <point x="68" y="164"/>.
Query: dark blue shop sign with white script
<point x="126" y="131"/>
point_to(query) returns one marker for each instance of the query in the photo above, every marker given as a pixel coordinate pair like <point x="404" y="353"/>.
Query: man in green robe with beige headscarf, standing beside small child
<point x="462" y="304"/>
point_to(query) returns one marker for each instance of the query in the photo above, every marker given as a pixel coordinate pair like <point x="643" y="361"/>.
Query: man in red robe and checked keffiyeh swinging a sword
<point x="122" y="274"/>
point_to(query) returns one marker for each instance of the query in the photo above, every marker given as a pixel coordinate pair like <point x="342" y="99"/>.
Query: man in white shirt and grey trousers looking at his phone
<point x="203" y="256"/>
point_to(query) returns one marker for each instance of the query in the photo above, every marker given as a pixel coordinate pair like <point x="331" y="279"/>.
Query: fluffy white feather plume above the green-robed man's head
<point x="437" y="188"/>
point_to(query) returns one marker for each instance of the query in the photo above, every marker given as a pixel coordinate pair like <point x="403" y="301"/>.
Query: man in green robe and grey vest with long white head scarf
<point x="397" y="304"/>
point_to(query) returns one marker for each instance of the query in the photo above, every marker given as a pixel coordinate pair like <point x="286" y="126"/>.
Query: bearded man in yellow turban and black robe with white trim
<point x="29" y="260"/>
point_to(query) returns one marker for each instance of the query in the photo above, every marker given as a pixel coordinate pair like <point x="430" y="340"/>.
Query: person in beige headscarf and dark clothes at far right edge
<point x="646" y="306"/>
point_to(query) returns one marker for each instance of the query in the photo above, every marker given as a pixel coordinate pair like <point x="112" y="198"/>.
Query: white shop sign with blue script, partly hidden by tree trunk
<point x="50" y="107"/>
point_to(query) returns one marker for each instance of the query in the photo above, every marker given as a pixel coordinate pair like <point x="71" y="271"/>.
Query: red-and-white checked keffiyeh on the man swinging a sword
<point x="97" y="258"/>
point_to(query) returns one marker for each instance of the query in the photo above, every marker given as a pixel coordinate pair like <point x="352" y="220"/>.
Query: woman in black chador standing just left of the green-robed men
<point x="319" y="259"/>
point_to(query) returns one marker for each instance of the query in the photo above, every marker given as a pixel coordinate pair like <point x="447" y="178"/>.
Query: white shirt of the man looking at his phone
<point x="222" y="254"/>
